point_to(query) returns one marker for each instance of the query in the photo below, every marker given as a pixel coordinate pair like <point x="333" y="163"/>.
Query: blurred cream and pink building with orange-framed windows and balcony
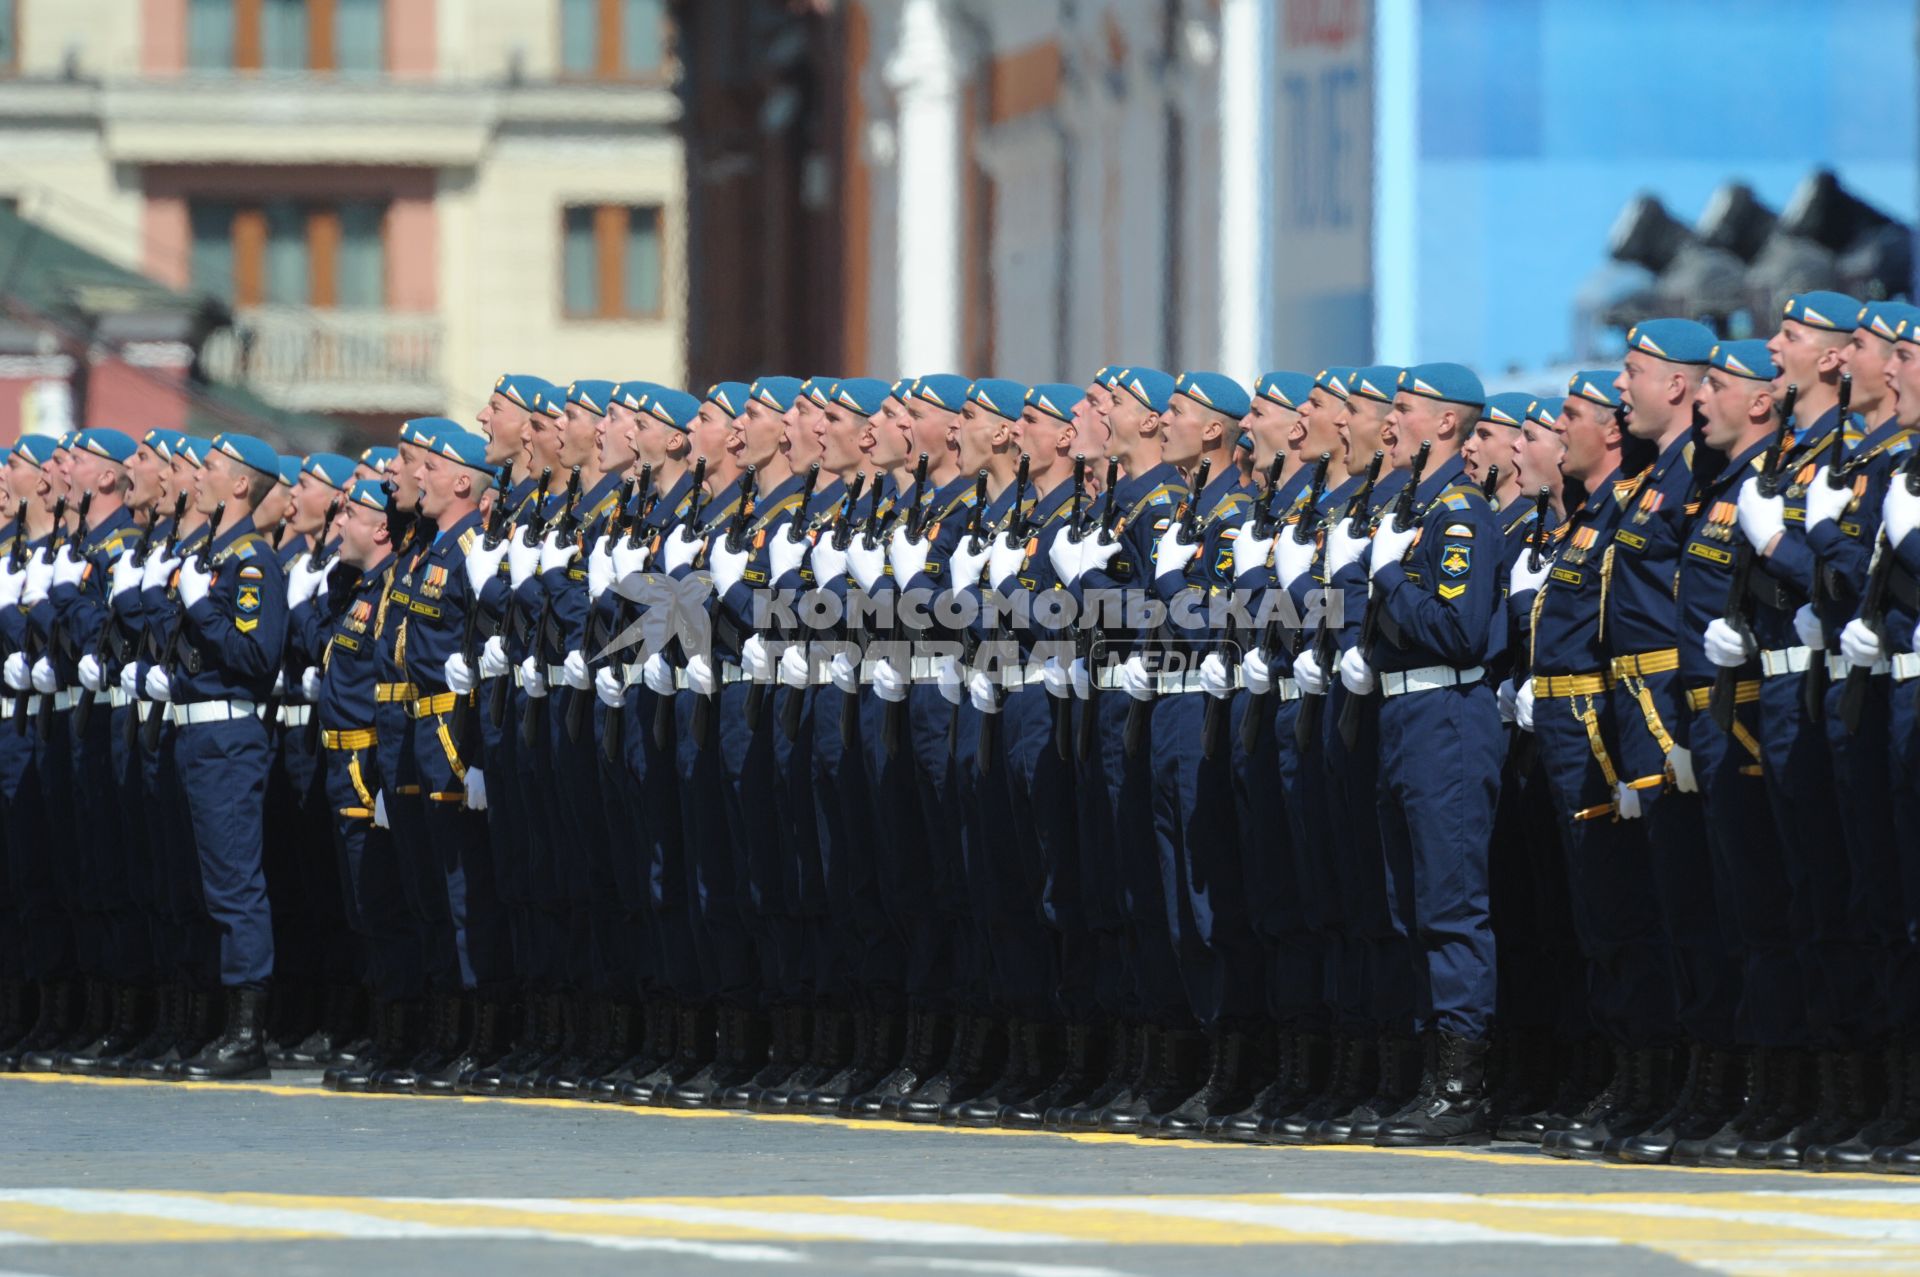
<point x="391" y="201"/>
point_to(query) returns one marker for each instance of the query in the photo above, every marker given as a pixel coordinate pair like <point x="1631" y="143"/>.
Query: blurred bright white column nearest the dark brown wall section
<point x="924" y="76"/>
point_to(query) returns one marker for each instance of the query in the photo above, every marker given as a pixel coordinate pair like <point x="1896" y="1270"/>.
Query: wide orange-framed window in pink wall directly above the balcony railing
<point x="289" y="253"/>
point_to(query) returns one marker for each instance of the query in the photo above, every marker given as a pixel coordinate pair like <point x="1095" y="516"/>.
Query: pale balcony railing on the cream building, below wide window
<point x="333" y="362"/>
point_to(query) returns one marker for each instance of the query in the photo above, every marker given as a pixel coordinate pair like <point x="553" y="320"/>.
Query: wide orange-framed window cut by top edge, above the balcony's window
<point x="287" y="36"/>
